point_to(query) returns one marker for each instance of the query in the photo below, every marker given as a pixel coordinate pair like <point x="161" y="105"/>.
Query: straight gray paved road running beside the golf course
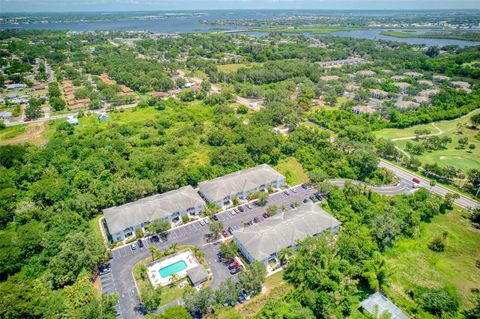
<point x="463" y="201"/>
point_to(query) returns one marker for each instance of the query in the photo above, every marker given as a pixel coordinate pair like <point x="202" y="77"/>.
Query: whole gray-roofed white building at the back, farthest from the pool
<point x="240" y="184"/>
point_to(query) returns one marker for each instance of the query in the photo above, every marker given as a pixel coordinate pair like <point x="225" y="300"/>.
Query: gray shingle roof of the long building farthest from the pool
<point x="231" y="184"/>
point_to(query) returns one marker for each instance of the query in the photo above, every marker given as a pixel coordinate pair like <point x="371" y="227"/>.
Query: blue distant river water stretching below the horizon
<point x="169" y="23"/>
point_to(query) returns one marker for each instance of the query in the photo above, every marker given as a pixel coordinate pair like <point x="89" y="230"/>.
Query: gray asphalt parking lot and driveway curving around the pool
<point x="124" y="258"/>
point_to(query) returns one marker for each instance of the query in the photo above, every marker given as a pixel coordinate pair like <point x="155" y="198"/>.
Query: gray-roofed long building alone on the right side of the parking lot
<point x="263" y="241"/>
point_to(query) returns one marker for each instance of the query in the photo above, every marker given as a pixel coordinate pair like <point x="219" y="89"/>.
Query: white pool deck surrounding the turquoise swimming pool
<point x="153" y="268"/>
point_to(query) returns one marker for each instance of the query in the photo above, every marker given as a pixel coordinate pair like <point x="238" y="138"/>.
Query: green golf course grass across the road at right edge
<point x="460" y="158"/>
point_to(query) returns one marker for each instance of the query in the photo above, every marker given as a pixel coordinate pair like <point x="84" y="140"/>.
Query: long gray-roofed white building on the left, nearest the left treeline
<point x="122" y="221"/>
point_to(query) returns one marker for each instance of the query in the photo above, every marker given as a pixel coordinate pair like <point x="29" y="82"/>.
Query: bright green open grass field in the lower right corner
<point x="413" y="263"/>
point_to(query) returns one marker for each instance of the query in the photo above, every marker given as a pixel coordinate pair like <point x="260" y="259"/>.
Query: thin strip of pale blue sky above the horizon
<point x="141" y="5"/>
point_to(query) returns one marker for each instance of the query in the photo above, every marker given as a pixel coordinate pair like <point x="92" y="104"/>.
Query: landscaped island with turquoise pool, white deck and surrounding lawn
<point x="162" y="292"/>
